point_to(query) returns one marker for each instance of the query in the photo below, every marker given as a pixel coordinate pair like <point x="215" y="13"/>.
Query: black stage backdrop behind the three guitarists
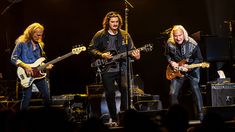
<point x="73" y="22"/>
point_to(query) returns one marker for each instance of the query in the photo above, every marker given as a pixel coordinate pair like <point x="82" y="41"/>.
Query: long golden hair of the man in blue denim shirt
<point x="28" y="34"/>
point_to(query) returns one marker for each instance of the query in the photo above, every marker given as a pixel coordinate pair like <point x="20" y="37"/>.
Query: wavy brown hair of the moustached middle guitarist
<point x="108" y="16"/>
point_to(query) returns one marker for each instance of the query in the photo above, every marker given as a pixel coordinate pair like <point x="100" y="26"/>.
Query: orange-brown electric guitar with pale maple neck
<point x="173" y="73"/>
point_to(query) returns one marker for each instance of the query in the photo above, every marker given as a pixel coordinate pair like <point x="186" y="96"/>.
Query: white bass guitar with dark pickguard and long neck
<point x="38" y="67"/>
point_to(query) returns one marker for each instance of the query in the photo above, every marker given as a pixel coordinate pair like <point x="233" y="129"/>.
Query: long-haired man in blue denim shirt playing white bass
<point x="28" y="49"/>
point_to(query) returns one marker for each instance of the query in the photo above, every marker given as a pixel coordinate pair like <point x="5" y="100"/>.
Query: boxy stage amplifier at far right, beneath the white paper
<point x="222" y="94"/>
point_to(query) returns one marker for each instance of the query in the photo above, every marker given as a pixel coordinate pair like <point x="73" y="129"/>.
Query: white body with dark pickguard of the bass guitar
<point x="26" y="80"/>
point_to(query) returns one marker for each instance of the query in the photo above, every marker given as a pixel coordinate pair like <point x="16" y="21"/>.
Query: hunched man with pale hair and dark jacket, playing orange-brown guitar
<point x="181" y="51"/>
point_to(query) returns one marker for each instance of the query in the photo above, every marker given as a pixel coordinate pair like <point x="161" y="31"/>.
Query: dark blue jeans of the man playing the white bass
<point x="42" y="86"/>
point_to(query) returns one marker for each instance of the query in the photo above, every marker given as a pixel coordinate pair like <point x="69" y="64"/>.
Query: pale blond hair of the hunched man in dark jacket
<point x="178" y="27"/>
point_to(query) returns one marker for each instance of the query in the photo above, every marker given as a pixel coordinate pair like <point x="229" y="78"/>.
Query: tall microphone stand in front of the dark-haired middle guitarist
<point x="129" y="77"/>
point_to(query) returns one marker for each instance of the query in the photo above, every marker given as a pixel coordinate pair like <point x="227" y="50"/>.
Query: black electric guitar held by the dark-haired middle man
<point x="104" y="64"/>
